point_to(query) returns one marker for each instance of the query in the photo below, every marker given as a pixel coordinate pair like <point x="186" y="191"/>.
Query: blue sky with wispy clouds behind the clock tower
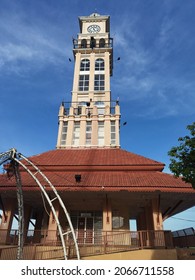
<point x="155" y="78"/>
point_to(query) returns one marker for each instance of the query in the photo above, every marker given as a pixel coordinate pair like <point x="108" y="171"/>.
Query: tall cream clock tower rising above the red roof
<point x="91" y="119"/>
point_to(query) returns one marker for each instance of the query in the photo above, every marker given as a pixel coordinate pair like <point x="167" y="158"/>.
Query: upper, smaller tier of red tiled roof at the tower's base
<point x="93" y="157"/>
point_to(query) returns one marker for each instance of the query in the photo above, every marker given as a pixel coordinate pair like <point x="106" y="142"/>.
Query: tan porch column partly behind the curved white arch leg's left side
<point x="52" y="226"/>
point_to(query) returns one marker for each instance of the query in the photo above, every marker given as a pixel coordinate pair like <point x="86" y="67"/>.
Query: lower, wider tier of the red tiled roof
<point x="111" y="181"/>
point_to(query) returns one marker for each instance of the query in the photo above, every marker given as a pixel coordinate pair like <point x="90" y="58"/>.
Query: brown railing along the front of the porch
<point x="38" y="246"/>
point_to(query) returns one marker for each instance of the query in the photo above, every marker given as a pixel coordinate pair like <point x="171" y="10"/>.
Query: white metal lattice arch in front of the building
<point x="15" y="157"/>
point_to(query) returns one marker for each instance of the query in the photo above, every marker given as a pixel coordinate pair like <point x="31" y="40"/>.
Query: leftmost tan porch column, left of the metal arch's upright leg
<point x="7" y="218"/>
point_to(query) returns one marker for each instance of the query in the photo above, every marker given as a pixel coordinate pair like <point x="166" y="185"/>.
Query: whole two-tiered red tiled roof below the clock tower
<point x="112" y="176"/>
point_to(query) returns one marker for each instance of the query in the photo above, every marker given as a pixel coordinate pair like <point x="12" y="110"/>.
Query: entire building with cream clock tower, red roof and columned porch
<point x="102" y="186"/>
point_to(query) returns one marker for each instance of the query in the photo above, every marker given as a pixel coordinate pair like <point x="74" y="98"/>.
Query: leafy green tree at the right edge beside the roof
<point x="183" y="157"/>
